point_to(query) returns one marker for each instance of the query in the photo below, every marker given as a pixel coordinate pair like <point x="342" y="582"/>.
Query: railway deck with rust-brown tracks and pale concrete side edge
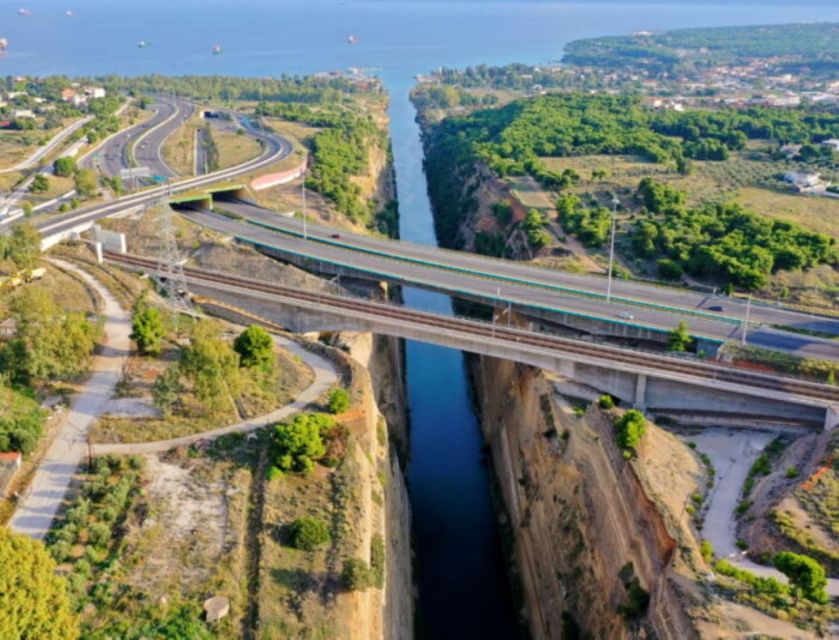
<point x="619" y="358"/>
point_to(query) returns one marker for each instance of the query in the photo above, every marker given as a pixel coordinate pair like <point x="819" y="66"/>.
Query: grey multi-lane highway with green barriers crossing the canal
<point x="524" y="286"/>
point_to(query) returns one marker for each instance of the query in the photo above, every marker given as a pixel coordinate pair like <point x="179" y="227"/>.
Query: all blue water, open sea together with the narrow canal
<point x="463" y="592"/>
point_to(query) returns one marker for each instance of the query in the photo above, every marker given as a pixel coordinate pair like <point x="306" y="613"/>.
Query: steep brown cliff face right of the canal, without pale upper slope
<point x="583" y="524"/>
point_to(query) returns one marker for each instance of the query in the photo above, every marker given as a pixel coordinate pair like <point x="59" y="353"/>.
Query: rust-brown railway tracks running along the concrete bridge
<point x="496" y="332"/>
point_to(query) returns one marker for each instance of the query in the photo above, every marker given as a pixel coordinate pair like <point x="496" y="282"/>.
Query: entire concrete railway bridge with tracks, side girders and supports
<point x="654" y="382"/>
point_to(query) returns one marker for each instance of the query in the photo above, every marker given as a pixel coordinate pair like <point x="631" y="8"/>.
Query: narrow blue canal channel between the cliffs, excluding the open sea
<point x="463" y="588"/>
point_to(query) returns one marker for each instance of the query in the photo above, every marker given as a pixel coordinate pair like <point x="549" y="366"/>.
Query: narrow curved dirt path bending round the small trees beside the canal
<point x="325" y="377"/>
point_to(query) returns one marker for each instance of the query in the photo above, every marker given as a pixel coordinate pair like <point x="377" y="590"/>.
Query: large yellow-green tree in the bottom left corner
<point x="33" y="599"/>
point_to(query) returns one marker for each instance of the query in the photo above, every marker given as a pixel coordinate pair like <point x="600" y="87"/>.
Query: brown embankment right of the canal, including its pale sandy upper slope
<point x="590" y="528"/>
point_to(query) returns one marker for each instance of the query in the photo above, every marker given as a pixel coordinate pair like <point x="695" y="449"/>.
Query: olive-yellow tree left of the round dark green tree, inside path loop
<point x="212" y="366"/>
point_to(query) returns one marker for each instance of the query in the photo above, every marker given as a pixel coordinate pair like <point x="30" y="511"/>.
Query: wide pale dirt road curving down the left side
<point x="34" y="516"/>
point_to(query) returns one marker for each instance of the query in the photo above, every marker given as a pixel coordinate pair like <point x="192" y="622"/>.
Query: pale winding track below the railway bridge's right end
<point x="732" y="452"/>
